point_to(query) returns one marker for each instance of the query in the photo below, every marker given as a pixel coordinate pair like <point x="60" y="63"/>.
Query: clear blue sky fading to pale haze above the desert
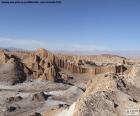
<point x="72" y="25"/>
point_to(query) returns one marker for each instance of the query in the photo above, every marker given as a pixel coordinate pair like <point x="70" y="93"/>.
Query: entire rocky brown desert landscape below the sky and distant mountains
<point x="42" y="83"/>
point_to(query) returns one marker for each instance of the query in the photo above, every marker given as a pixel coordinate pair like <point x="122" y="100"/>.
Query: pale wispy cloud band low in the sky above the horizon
<point x="32" y="44"/>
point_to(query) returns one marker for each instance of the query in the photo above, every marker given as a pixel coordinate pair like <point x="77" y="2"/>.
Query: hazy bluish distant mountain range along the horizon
<point x="124" y="53"/>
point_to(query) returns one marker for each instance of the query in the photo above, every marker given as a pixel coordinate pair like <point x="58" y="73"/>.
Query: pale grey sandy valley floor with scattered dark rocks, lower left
<point x="56" y="95"/>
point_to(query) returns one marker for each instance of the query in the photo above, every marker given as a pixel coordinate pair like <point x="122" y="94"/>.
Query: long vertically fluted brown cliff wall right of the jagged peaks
<point x="77" y="65"/>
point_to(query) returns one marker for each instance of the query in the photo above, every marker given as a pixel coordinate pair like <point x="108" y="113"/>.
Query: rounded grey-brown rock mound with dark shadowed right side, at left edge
<point x="12" y="70"/>
